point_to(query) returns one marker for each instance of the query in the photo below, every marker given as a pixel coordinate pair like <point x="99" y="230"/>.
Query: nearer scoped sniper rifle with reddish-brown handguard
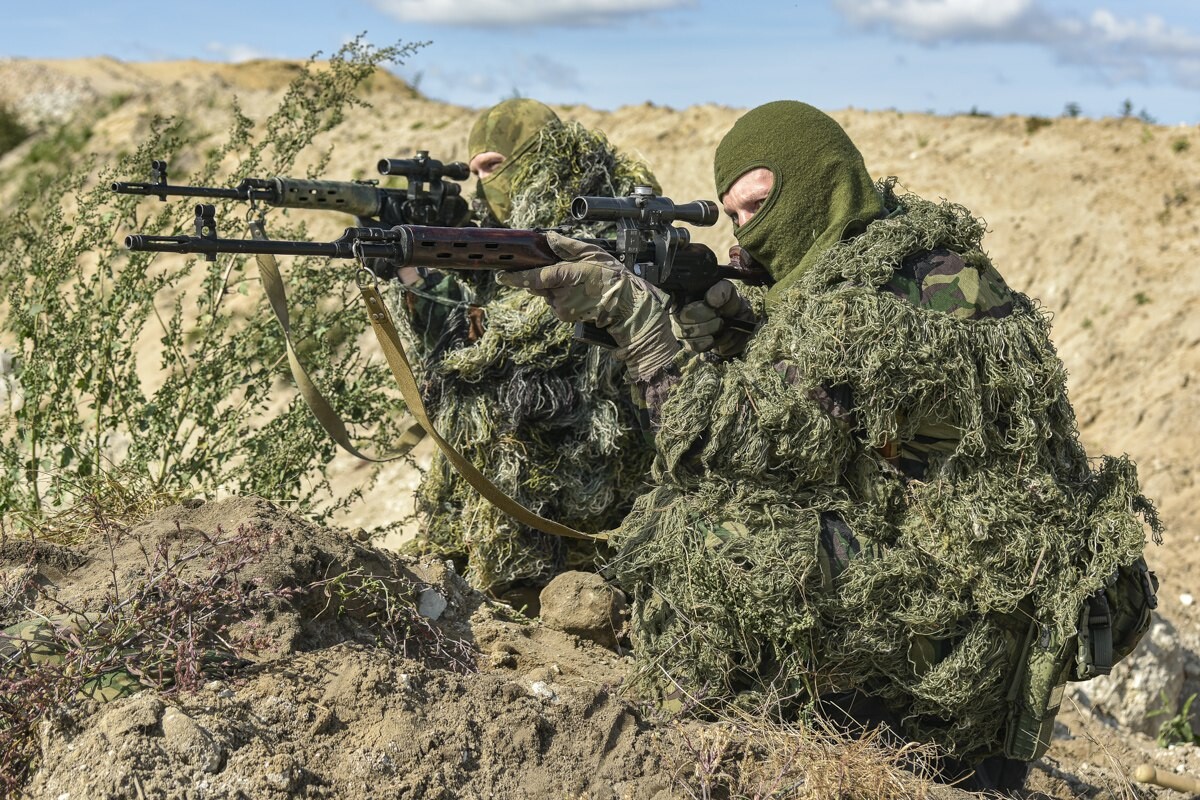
<point x="647" y="244"/>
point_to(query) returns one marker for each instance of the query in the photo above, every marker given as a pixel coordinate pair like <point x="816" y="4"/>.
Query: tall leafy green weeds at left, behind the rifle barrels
<point x="215" y="416"/>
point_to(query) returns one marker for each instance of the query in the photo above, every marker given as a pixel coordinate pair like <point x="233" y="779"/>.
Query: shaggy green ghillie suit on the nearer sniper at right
<point x="735" y="600"/>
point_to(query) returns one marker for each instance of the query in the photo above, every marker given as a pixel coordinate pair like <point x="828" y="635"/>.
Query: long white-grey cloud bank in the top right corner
<point x="1115" y="49"/>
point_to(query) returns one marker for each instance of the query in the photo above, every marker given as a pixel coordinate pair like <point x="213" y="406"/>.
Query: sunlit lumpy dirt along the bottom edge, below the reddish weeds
<point x="347" y="721"/>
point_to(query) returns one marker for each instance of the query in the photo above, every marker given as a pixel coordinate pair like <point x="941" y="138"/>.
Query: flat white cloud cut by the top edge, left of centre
<point x="524" y="13"/>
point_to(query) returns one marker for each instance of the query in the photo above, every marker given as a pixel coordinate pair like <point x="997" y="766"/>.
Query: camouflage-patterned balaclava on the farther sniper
<point x="508" y="129"/>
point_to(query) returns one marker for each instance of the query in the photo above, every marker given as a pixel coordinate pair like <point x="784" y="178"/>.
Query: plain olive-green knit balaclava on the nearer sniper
<point x="823" y="193"/>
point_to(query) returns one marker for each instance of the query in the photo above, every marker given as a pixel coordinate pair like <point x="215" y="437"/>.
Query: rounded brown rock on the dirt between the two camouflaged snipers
<point x="585" y="605"/>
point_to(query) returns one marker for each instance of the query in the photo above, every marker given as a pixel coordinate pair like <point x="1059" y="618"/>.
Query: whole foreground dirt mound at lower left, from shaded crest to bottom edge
<point x="475" y="701"/>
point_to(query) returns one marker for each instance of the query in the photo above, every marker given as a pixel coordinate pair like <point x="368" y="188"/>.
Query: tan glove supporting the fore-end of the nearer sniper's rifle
<point x="591" y="286"/>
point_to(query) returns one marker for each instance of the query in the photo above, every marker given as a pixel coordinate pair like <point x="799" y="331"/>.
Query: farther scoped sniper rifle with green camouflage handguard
<point x="429" y="199"/>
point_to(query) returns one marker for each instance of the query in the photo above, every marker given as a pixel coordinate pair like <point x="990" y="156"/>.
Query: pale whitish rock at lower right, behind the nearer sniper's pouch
<point x="1149" y="679"/>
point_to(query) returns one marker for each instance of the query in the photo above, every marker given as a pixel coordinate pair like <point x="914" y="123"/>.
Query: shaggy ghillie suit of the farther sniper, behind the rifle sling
<point x="548" y="419"/>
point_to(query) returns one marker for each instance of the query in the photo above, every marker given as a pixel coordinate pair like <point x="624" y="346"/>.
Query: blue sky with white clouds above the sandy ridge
<point x="1003" y="57"/>
